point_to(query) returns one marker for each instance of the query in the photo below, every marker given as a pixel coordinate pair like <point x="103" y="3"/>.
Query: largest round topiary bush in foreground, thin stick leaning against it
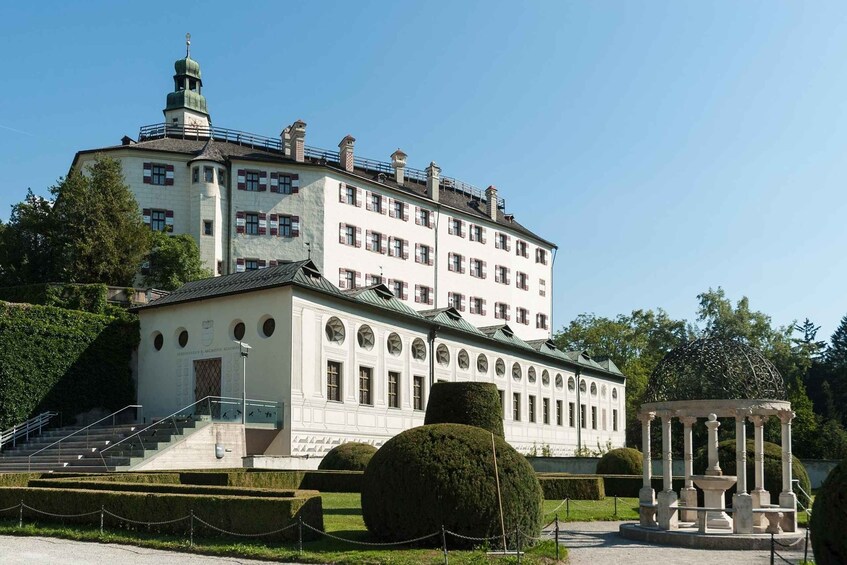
<point x="444" y="474"/>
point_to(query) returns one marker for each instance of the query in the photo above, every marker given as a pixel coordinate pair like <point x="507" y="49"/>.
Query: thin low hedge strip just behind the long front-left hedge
<point x="167" y="488"/>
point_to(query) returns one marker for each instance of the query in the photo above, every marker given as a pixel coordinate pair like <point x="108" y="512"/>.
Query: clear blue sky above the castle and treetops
<point x="667" y="147"/>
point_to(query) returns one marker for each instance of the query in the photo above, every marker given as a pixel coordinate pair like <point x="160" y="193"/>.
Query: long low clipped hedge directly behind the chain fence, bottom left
<point x="240" y="514"/>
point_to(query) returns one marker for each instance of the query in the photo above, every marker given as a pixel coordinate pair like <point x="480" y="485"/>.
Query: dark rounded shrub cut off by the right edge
<point x="829" y="516"/>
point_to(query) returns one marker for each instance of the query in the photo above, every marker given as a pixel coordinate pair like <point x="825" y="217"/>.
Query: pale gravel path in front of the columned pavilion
<point x="598" y="543"/>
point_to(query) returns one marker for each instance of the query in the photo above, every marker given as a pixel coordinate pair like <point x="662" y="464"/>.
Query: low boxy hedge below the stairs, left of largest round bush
<point x="324" y="481"/>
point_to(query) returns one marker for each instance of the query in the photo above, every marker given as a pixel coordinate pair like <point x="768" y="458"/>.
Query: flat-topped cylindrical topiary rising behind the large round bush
<point x="472" y="404"/>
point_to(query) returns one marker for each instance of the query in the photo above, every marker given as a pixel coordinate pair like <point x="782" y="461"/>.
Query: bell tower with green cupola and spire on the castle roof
<point x="186" y="105"/>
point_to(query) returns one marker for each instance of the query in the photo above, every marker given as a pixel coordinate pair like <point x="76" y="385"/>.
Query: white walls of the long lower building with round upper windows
<point x="291" y="366"/>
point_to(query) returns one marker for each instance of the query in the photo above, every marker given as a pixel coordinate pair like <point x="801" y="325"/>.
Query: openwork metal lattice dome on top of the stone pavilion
<point x="715" y="368"/>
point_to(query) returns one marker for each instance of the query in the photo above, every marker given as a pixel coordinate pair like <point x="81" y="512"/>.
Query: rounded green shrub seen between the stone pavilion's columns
<point x="773" y="469"/>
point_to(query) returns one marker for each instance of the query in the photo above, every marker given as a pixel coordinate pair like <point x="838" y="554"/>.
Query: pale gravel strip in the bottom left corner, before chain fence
<point x="16" y="550"/>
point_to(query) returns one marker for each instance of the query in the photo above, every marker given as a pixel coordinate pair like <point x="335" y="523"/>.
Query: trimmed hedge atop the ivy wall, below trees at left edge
<point x="86" y="297"/>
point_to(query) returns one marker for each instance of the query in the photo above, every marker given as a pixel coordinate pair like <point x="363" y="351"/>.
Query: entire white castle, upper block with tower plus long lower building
<point x="358" y="283"/>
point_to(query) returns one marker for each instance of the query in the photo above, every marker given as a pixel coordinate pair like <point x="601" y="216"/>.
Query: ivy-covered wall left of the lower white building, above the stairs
<point x="64" y="360"/>
